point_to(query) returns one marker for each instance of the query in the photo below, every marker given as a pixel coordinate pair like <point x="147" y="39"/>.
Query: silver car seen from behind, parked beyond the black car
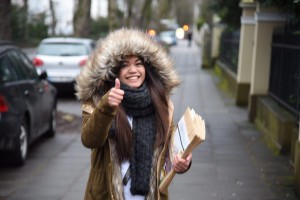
<point x="62" y="59"/>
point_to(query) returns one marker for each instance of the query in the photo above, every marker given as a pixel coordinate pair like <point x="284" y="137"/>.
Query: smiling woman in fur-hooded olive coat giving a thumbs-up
<point x="125" y="90"/>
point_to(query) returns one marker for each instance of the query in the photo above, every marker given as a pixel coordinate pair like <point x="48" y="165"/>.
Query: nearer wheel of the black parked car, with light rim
<point x="21" y="150"/>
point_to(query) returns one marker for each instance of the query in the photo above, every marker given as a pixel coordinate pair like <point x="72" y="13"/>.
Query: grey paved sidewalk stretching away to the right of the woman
<point x="234" y="162"/>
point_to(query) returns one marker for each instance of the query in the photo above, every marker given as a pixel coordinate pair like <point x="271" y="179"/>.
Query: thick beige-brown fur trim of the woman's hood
<point x="102" y="64"/>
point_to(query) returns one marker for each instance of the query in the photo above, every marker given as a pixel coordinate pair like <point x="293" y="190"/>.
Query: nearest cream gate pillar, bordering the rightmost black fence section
<point x="266" y="19"/>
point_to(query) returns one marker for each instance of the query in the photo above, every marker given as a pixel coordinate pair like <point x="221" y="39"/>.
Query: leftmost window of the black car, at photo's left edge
<point x="7" y="73"/>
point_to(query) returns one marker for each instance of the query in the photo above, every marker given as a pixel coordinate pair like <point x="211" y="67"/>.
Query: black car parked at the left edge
<point x="27" y="104"/>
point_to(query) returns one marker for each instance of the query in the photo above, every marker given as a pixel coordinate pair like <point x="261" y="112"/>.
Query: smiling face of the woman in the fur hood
<point x="132" y="72"/>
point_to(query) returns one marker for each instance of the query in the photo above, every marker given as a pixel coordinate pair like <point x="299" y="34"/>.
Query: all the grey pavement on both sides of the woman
<point x="233" y="163"/>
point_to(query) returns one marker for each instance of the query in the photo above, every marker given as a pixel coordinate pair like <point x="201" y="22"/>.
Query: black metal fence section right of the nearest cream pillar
<point x="285" y="68"/>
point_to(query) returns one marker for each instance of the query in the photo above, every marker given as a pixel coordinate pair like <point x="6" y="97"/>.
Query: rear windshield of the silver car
<point x="62" y="49"/>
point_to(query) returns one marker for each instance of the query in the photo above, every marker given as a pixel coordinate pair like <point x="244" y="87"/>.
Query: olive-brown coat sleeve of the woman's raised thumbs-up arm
<point x="96" y="123"/>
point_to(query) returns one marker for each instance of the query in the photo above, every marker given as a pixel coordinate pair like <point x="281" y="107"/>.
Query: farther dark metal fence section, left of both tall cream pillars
<point x="229" y="49"/>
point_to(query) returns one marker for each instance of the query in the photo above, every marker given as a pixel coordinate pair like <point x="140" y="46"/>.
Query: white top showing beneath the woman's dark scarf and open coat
<point x="124" y="167"/>
